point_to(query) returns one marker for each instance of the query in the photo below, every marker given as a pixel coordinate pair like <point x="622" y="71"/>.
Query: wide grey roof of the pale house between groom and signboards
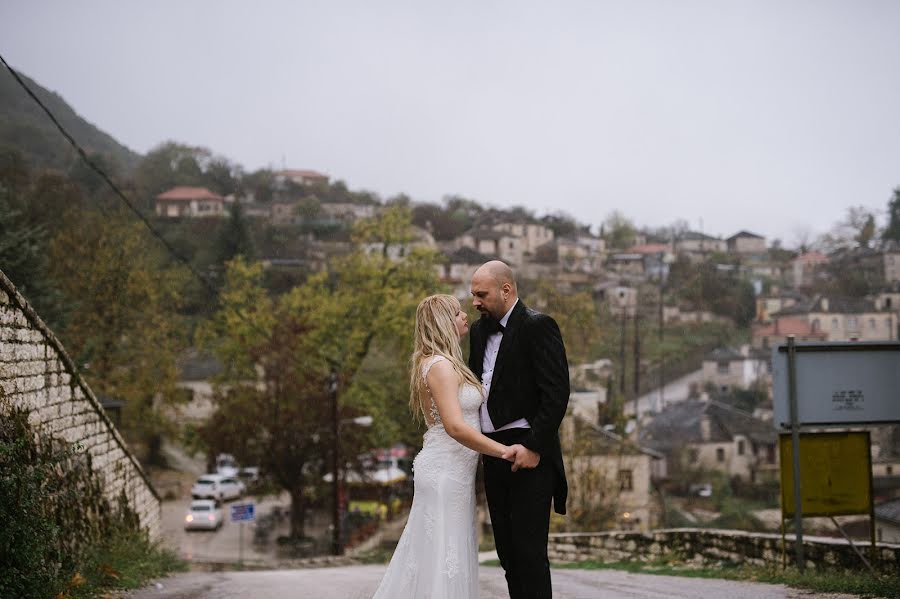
<point x="680" y="423"/>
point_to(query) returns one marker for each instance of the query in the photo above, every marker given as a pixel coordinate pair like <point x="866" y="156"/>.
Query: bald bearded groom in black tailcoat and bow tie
<point x="519" y="356"/>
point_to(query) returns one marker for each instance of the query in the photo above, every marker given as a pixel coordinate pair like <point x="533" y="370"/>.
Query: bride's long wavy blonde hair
<point x="435" y="335"/>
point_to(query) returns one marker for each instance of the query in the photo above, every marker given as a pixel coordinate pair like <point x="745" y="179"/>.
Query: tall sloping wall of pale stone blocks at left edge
<point x="36" y="374"/>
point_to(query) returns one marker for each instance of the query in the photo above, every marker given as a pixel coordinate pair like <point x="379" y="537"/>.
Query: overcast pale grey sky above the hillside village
<point x="768" y="116"/>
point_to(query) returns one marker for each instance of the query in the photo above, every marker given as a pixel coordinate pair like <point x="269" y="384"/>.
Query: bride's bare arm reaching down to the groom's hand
<point x="444" y="384"/>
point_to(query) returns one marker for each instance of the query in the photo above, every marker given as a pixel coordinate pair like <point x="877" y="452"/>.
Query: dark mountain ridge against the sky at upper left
<point x="26" y="128"/>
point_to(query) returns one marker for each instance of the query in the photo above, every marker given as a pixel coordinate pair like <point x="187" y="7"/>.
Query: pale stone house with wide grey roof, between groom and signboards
<point x="712" y="435"/>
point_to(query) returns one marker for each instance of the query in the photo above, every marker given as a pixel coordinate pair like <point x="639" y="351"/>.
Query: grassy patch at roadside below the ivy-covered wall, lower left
<point x="126" y="560"/>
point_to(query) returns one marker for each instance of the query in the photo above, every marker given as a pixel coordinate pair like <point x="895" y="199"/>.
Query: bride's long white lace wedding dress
<point x="437" y="555"/>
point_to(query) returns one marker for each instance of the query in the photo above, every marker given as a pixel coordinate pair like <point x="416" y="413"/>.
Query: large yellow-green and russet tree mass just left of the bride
<point x="354" y="319"/>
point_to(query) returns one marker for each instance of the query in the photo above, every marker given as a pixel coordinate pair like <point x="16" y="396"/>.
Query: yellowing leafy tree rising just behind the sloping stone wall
<point x="122" y="325"/>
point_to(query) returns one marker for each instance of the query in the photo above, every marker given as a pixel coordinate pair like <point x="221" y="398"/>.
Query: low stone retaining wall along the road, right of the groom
<point x="712" y="547"/>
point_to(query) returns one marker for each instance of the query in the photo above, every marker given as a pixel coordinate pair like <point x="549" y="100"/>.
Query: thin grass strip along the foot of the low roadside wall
<point x="857" y="583"/>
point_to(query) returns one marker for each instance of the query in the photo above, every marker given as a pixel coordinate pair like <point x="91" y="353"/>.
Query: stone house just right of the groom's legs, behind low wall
<point x="609" y="473"/>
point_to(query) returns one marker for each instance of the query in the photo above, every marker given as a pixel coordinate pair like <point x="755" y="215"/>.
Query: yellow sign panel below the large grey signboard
<point x="835" y="474"/>
